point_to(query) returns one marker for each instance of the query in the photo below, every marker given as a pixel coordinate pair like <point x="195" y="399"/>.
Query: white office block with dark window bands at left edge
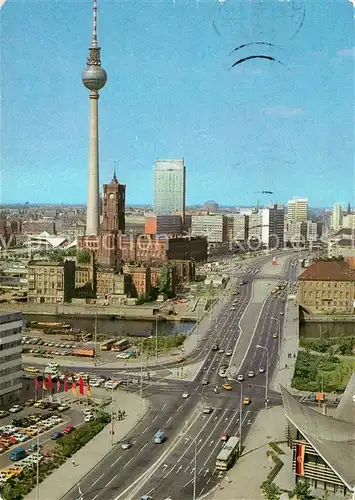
<point x="10" y="357"/>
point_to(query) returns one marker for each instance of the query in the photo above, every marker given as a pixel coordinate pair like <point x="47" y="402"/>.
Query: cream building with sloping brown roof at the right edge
<point x="327" y="287"/>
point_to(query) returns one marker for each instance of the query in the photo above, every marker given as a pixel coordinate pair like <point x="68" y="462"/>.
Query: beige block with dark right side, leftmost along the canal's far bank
<point x="50" y="282"/>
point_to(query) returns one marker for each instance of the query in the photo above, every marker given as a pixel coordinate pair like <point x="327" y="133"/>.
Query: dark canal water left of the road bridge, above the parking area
<point x="117" y="327"/>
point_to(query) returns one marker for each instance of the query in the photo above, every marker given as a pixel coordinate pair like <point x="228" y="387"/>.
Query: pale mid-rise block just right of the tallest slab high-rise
<point x="213" y="227"/>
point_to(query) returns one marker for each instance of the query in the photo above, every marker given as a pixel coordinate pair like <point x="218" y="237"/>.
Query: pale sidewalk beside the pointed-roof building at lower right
<point x="243" y="481"/>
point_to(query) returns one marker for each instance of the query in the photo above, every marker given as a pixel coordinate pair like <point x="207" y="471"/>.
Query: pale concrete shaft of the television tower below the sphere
<point x="92" y="214"/>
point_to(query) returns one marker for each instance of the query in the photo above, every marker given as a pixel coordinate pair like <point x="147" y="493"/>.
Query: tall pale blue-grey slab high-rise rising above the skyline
<point x="169" y="187"/>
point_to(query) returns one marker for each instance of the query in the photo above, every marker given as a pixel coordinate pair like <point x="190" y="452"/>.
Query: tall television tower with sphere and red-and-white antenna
<point x="94" y="78"/>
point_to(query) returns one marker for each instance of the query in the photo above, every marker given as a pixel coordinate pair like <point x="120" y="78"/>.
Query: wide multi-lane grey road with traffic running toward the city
<point x="167" y="470"/>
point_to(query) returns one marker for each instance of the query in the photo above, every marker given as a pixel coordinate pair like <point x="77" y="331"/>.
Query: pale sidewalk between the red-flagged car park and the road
<point x="68" y="476"/>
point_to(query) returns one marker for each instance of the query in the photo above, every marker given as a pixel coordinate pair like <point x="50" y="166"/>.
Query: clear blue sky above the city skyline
<point x="170" y="94"/>
